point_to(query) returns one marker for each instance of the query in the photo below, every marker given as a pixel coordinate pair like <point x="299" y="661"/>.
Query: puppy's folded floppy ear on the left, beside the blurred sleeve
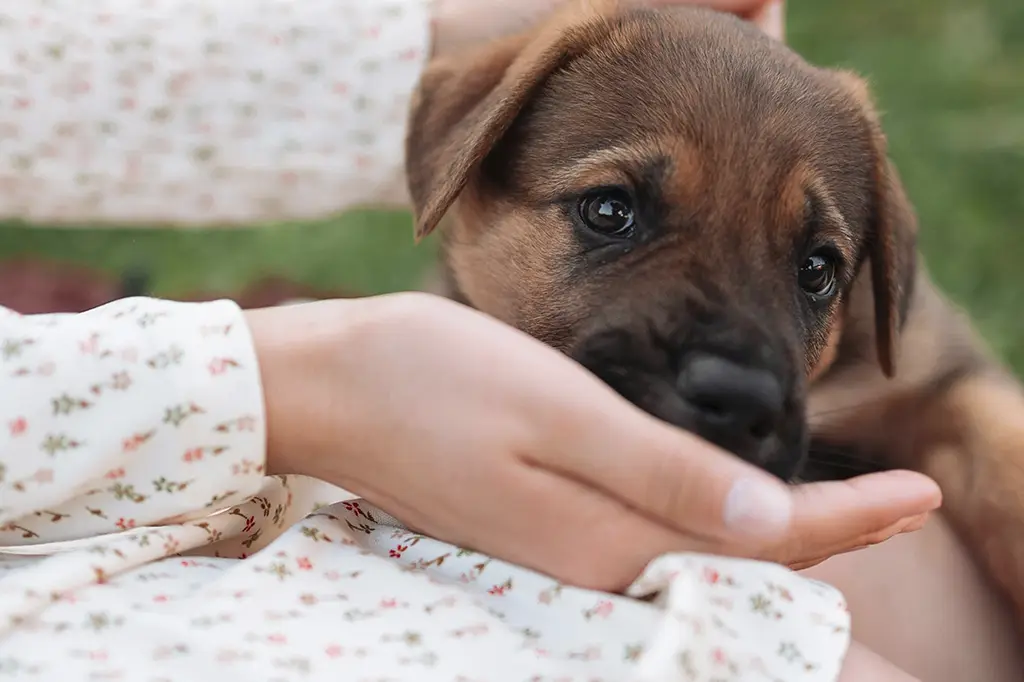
<point x="465" y="104"/>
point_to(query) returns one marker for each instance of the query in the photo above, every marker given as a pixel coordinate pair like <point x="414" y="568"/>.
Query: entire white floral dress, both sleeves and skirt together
<point x="140" y="540"/>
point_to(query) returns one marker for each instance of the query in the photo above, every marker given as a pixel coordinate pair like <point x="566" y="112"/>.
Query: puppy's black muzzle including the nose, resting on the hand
<point x="731" y="383"/>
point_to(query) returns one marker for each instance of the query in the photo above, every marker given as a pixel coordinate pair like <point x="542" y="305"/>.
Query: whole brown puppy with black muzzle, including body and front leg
<point x="712" y="227"/>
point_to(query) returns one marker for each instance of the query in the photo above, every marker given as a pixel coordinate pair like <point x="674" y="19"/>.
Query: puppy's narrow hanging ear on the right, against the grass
<point x="893" y="237"/>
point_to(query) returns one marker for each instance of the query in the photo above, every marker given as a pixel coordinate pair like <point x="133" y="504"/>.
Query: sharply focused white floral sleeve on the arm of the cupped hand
<point x="130" y="415"/>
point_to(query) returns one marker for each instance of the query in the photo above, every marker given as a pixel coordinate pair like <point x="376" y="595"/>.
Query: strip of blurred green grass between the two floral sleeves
<point x="363" y="251"/>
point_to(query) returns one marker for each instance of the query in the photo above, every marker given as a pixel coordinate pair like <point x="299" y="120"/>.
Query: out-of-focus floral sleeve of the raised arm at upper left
<point x="204" y="112"/>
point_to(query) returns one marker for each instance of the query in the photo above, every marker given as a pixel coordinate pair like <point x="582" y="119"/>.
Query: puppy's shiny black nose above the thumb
<point x="736" y="407"/>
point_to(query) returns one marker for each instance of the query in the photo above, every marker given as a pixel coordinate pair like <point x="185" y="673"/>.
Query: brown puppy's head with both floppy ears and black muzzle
<point x="674" y="200"/>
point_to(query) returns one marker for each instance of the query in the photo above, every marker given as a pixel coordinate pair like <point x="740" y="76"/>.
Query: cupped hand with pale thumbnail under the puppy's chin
<point x="478" y="435"/>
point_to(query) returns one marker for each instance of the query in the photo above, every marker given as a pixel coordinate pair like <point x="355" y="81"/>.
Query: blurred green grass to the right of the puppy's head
<point x="950" y="78"/>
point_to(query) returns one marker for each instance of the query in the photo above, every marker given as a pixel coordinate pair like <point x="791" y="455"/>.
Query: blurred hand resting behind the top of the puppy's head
<point x="461" y="23"/>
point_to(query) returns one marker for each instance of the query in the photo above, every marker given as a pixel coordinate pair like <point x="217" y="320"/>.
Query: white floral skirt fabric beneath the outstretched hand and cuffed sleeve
<point x="265" y="591"/>
